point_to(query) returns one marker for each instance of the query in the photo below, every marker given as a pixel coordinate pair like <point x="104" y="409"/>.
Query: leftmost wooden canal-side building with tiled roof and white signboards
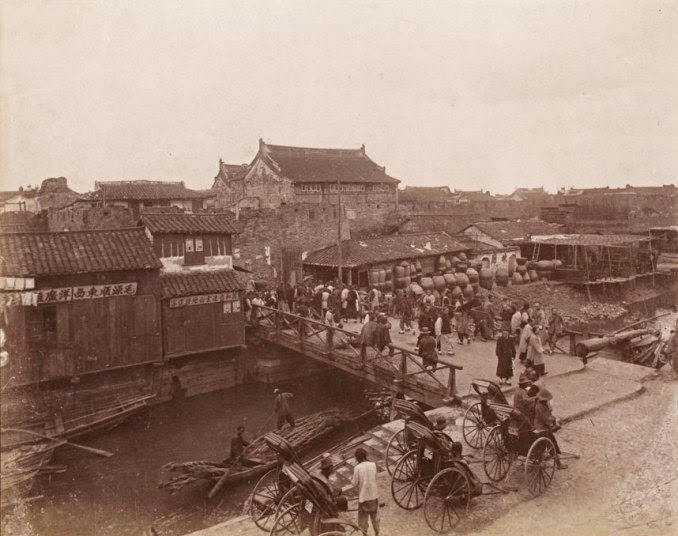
<point x="78" y="303"/>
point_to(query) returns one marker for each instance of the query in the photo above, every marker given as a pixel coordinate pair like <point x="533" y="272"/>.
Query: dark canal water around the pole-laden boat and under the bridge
<point x="120" y="495"/>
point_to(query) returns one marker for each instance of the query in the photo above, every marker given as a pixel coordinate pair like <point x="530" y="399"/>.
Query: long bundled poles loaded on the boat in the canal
<point x="308" y="430"/>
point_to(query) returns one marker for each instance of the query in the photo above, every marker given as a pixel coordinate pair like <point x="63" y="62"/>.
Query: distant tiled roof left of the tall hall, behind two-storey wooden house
<point x="122" y="190"/>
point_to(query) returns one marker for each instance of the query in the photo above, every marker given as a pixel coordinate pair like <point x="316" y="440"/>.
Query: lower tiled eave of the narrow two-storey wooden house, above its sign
<point x="176" y="284"/>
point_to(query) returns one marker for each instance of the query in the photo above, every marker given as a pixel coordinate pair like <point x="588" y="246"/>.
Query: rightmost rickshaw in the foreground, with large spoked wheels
<point x="514" y="439"/>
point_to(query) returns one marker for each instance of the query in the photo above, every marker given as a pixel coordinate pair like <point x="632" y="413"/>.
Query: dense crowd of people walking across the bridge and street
<point x="526" y="331"/>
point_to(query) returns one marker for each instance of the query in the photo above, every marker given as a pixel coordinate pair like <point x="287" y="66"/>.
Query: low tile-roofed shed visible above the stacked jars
<point x="358" y="257"/>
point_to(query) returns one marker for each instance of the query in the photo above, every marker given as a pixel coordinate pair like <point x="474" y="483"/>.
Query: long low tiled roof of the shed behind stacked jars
<point x="386" y="248"/>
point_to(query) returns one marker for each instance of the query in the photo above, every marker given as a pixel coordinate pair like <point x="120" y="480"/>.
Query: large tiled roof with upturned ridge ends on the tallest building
<point x="300" y="164"/>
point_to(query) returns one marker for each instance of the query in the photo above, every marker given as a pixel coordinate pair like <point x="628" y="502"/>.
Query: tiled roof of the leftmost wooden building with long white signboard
<point x="76" y="252"/>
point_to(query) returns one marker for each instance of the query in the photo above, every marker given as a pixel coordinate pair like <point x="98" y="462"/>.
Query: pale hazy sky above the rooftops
<point x="469" y="94"/>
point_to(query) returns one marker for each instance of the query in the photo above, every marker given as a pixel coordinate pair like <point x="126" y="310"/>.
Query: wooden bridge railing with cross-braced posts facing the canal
<point x="334" y="342"/>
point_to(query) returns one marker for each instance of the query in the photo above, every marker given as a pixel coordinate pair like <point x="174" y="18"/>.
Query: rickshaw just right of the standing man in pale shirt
<point x="434" y="474"/>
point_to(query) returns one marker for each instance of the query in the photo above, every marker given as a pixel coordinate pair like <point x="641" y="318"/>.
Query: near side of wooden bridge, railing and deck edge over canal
<point x="394" y="367"/>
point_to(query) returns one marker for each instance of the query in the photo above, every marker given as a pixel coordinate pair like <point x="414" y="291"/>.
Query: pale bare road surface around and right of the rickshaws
<point x="624" y="483"/>
